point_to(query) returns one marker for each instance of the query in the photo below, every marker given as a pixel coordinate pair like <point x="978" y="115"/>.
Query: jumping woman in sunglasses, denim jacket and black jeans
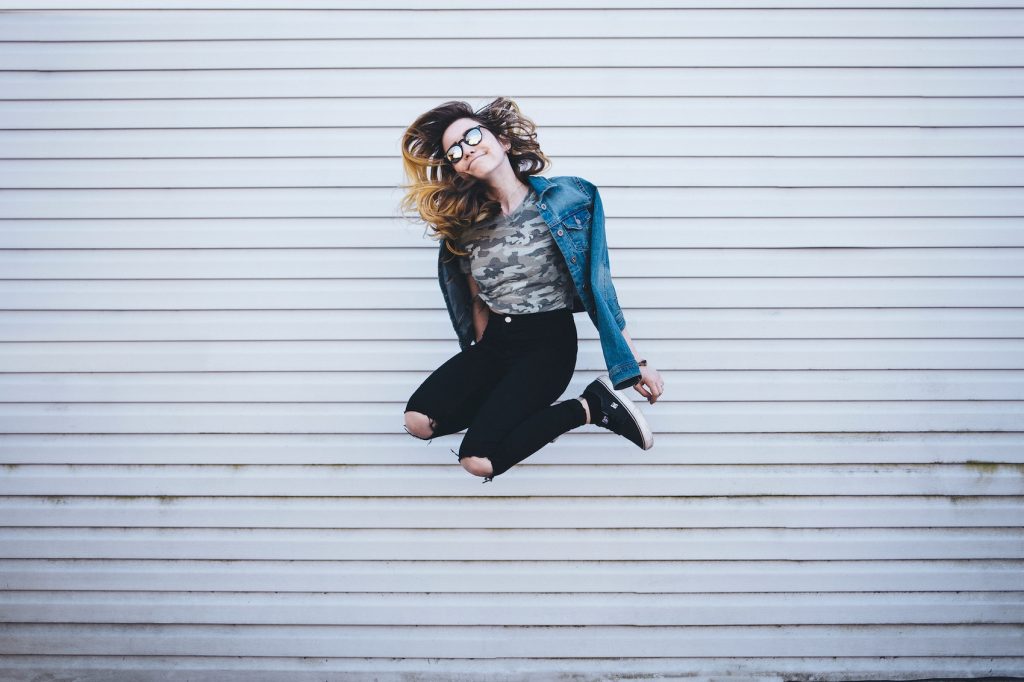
<point x="519" y="255"/>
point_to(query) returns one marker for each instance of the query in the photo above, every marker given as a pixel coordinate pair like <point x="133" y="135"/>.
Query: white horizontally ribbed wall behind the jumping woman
<point x="211" y="317"/>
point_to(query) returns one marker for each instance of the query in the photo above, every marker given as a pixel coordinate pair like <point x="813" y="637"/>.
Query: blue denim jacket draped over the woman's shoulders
<point x="572" y="207"/>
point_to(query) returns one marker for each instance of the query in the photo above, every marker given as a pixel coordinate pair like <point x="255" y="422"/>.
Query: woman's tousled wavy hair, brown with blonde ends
<point x="447" y="202"/>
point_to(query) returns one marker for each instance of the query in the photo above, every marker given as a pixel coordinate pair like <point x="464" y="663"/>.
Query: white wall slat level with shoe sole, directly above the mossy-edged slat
<point x="580" y="447"/>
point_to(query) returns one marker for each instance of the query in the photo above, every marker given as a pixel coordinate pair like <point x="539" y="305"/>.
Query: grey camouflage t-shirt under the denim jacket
<point x="517" y="263"/>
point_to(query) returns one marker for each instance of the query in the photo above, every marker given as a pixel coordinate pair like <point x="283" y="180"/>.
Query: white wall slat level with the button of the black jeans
<point x="227" y="326"/>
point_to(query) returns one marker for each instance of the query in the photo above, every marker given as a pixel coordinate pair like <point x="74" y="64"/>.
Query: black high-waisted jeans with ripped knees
<point x="502" y="389"/>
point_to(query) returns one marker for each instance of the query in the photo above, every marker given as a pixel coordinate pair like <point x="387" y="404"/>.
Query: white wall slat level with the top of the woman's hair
<point x="591" y="111"/>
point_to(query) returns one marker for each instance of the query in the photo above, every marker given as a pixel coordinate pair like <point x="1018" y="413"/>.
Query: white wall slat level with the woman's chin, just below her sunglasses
<point x="602" y="170"/>
